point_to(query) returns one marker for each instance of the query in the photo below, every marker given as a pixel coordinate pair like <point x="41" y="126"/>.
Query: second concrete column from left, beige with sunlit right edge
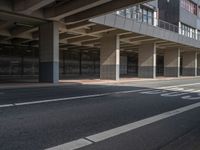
<point x="110" y="57"/>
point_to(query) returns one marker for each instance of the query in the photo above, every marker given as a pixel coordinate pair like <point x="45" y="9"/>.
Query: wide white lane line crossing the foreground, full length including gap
<point x="126" y="128"/>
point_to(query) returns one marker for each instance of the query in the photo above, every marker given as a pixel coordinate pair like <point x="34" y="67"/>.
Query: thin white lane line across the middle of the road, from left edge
<point x="69" y="98"/>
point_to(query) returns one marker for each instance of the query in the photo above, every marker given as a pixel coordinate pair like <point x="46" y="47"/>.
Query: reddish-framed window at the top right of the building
<point x="189" y="6"/>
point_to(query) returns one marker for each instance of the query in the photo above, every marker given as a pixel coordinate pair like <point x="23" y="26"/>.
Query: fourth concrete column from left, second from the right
<point x="172" y="63"/>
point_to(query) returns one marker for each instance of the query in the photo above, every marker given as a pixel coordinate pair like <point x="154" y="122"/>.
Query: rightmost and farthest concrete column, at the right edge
<point x="189" y="63"/>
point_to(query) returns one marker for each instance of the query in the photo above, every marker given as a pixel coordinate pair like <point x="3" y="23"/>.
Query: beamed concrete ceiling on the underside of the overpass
<point x="19" y="21"/>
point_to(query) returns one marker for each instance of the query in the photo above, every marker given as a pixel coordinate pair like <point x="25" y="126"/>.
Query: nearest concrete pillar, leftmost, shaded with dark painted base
<point x="49" y="53"/>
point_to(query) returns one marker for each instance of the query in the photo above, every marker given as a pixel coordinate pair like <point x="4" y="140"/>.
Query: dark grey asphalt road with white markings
<point x="144" y="115"/>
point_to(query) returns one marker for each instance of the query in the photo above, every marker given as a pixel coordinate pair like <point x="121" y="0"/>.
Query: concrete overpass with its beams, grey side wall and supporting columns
<point x="59" y="25"/>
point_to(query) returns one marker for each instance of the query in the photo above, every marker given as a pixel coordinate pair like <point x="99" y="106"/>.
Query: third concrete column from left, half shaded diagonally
<point x="147" y="61"/>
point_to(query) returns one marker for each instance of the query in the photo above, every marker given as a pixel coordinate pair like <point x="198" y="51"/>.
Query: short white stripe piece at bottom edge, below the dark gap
<point x="71" y="145"/>
